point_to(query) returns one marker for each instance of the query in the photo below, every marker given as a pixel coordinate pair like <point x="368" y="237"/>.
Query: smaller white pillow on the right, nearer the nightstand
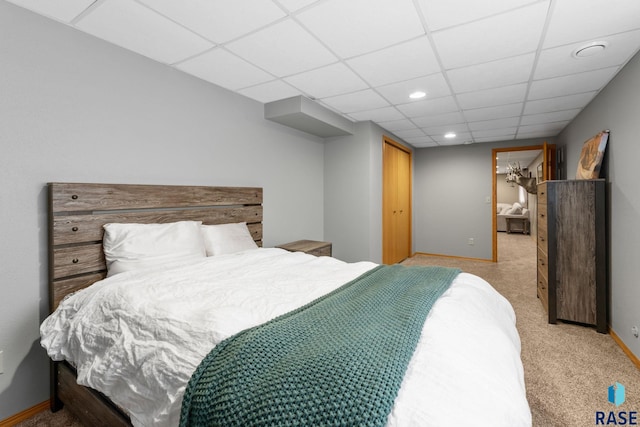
<point x="222" y="239"/>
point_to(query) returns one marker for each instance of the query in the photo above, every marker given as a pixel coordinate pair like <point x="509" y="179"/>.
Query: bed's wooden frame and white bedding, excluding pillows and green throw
<point x="466" y="366"/>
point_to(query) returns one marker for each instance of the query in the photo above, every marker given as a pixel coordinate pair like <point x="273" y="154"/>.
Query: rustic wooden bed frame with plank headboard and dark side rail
<point x="77" y="213"/>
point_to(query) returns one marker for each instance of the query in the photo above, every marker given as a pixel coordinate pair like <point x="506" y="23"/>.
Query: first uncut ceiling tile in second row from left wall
<point x="283" y="49"/>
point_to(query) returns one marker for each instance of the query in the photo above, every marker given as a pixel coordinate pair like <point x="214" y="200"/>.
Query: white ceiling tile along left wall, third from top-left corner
<point x="224" y="69"/>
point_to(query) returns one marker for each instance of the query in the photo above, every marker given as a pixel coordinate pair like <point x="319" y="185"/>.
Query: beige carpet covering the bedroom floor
<point x="568" y="368"/>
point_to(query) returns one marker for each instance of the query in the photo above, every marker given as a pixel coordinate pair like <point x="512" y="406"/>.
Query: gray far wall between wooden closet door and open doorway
<point x="451" y="187"/>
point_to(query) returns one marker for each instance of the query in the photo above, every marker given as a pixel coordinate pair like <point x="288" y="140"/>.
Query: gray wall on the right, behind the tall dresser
<point x="617" y="108"/>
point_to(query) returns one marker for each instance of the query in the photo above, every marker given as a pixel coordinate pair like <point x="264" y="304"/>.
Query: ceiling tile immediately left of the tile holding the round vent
<point x="498" y="73"/>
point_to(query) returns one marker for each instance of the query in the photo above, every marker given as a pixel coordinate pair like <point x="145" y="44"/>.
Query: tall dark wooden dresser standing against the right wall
<point x="572" y="254"/>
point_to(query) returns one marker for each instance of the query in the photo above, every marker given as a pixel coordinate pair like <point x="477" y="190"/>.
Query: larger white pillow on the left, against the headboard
<point x="134" y="246"/>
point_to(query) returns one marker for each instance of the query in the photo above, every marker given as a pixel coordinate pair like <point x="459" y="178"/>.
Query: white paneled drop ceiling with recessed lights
<point x="491" y="70"/>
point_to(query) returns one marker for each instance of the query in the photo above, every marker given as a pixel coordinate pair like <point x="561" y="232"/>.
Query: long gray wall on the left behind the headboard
<point x="73" y="108"/>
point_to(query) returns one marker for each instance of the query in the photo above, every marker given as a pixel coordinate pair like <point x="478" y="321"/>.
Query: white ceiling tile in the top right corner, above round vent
<point x="597" y="18"/>
